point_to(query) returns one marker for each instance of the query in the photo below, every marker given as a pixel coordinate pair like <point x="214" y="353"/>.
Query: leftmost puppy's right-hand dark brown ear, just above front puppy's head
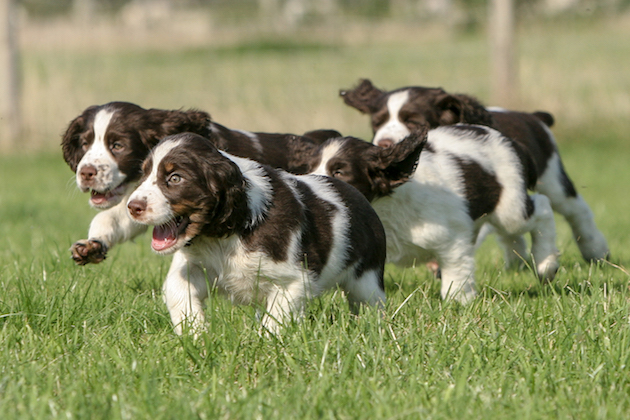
<point x="162" y="123"/>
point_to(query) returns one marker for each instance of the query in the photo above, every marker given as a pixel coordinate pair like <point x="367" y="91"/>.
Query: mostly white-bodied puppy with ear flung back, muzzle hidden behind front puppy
<point x="467" y="175"/>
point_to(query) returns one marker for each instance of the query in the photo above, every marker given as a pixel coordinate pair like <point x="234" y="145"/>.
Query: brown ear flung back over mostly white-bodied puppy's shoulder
<point x="398" y="162"/>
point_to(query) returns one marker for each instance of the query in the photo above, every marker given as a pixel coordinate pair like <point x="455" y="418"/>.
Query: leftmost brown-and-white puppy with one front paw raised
<point x="106" y="145"/>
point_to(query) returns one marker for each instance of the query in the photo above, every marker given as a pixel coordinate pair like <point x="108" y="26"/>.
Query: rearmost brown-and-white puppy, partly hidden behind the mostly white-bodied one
<point x="394" y="114"/>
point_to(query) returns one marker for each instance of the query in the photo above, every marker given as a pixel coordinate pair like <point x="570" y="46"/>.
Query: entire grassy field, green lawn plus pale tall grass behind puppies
<point x="96" y="342"/>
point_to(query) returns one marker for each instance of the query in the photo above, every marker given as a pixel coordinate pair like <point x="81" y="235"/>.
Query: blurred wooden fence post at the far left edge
<point x="10" y="124"/>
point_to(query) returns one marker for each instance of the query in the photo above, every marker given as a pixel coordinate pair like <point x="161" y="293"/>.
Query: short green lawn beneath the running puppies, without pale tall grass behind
<point x="96" y="341"/>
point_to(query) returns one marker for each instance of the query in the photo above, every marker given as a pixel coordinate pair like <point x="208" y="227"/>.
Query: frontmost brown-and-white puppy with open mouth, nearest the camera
<point x="259" y="235"/>
